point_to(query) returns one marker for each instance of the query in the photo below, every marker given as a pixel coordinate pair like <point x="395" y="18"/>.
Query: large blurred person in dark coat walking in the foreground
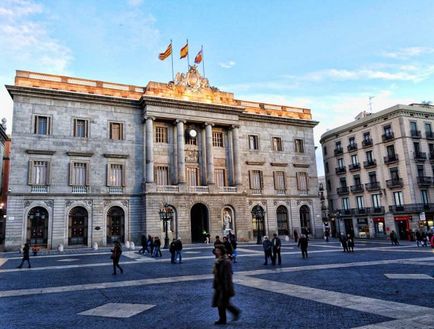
<point x="223" y="286"/>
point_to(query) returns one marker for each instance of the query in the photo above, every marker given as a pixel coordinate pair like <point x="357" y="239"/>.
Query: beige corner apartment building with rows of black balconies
<point x="379" y="172"/>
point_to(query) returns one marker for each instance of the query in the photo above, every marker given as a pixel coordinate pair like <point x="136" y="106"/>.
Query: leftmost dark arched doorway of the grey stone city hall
<point x="37" y="226"/>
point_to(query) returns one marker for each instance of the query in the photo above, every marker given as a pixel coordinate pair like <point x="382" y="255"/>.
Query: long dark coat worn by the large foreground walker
<point x="222" y="284"/>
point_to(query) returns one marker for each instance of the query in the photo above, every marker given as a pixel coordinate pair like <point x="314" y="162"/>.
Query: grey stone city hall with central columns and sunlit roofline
<point x="94" y="161"/>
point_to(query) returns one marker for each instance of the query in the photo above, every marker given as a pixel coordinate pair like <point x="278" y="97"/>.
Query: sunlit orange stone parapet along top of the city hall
<point x="155" y="89"/>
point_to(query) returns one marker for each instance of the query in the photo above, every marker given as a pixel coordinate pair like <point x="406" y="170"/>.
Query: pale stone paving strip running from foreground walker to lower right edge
<point x="380" y="307"/>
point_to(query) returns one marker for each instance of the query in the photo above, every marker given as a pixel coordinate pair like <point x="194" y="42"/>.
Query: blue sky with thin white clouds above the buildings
<point x="327" y="55"/>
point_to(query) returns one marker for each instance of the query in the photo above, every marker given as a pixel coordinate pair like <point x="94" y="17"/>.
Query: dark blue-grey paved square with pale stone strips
<point x="370" y="288"/>
